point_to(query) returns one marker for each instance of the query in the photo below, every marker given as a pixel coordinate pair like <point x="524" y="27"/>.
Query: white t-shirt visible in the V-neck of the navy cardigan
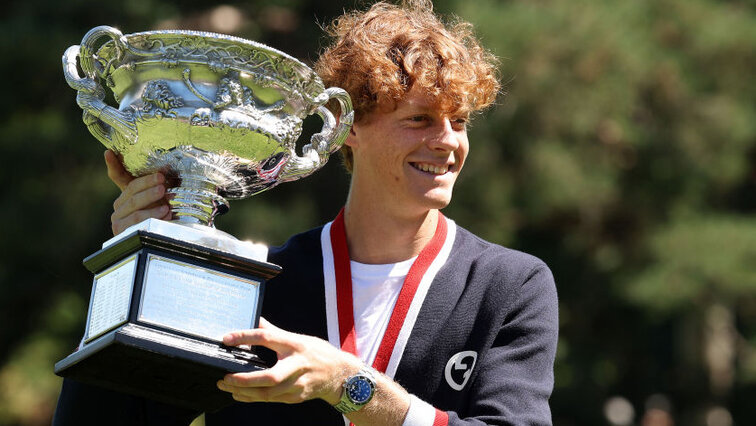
<point x="375" y="289"/>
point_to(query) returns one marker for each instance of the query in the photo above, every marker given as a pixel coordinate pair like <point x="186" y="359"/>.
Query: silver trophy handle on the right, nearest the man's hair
<point x="322" y="144"/>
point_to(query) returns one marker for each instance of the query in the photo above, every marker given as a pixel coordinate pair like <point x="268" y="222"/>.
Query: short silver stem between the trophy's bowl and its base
<point x="196" y="201"/>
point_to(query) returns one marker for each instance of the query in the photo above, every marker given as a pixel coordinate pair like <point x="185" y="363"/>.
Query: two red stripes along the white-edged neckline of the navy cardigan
<point x="344" y="302"/>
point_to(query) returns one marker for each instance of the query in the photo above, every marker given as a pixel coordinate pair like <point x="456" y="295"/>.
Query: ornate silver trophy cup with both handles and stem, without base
<point x="218" y="113"/>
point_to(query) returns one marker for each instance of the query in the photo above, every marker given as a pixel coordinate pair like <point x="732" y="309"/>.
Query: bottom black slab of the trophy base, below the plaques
<point x="161" y="366"/>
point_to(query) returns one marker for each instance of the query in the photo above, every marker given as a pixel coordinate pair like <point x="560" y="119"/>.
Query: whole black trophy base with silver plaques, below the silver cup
<point x="157" y="315"/>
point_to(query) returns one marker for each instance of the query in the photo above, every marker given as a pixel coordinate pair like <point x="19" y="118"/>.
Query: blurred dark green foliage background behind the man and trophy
<point x="623" y="153"/>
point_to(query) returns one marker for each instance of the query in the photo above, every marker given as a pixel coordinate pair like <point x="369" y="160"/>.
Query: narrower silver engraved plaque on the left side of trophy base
<point x="111" y="298"/>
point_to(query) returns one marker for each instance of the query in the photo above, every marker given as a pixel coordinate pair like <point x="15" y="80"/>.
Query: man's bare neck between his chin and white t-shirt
<point x="376" y="236"/>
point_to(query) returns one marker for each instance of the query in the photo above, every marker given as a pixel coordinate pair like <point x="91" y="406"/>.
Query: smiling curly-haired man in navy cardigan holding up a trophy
<point x="437" y="326"/>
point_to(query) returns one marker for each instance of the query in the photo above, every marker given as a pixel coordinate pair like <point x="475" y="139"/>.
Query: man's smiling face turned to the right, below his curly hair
<point x="409" y="158"/>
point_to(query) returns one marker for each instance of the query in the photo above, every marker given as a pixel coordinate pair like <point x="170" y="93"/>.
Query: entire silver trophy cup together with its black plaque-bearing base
<point x="220" y="117"/>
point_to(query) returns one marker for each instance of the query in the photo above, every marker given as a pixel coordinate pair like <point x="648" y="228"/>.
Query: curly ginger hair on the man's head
<point x="378" y="55"/>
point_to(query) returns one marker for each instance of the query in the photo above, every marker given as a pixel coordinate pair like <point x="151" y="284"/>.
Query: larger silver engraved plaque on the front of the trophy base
<point x="196" y="300"/>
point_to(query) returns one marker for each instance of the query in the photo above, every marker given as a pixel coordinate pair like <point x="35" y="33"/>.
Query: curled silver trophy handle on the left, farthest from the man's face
<point x="106" y="123"/>
